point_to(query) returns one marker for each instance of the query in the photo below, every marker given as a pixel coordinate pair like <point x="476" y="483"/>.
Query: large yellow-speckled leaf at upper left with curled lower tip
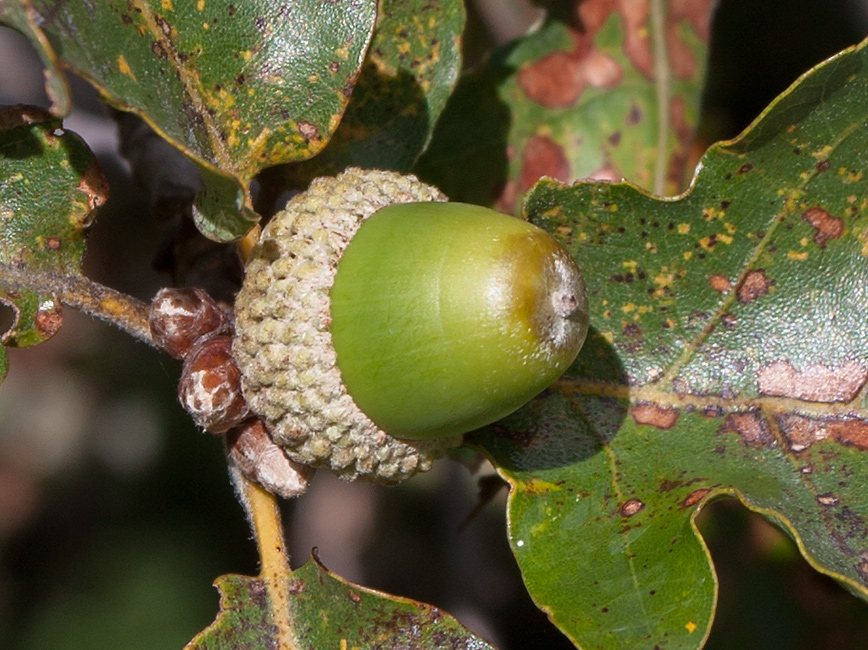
<point x="237" y="86"/>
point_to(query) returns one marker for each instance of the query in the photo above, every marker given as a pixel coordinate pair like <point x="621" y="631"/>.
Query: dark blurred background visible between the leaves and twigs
<point x="116" y="514"/>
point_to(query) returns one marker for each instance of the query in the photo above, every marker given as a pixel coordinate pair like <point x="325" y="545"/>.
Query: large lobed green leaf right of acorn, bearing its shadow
<point x="728" y="356"/>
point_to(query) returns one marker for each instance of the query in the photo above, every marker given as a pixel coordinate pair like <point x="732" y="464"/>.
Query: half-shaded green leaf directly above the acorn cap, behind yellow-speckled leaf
<point x="411" y="69"/>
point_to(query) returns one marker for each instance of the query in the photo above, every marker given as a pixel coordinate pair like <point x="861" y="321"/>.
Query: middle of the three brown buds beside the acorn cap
<point x="210" y="386"/>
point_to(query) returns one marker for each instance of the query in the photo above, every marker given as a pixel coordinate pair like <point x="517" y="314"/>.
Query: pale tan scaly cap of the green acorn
<point x="283" y="346"/>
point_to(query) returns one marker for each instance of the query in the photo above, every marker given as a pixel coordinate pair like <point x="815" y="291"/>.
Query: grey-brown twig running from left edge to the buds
<point x="79" y="292"/>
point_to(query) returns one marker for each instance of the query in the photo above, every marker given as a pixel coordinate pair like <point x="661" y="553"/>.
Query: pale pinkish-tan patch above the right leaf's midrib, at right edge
<point x="815" y="383"/>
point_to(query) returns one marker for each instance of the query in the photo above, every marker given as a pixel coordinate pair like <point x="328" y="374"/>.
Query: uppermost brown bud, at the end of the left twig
<point x="180" y="317"/>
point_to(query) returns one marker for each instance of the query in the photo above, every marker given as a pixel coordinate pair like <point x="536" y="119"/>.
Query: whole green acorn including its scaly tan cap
<point x="378" y="323"/>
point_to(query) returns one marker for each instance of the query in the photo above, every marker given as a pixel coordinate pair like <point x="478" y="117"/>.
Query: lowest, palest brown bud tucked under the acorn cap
<point x="262" y="461"/>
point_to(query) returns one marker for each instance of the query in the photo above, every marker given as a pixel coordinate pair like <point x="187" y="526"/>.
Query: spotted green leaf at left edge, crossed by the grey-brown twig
<point x="50" y="188"/>
